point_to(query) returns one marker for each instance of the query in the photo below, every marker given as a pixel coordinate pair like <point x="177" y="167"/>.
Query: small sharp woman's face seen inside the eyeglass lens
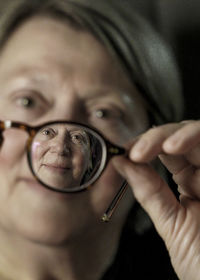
<point x="61" y="155"/>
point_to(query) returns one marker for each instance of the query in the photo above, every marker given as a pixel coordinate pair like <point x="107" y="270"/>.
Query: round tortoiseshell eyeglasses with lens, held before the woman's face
<point x="66" y="156"/>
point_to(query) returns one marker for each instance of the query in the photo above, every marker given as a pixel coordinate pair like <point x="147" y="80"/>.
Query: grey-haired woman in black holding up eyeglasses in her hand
<point x="97" y="66"/>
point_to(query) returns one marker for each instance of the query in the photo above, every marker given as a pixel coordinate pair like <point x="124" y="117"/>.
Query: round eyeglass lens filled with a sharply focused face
<point x="66" y="157"/>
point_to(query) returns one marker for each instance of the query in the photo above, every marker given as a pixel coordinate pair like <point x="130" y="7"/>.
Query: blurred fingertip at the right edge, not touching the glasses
<point x="184" y="139"/>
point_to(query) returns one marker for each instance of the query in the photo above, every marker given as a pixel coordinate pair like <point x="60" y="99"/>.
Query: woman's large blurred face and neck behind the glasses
<point x="48" y="71"/>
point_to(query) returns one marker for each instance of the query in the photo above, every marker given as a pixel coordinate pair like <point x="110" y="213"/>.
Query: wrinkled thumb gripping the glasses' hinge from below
<point x="151" y="192"/>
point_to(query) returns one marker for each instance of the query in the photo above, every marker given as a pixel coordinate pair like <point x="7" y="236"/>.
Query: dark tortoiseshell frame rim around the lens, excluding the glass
<point x="109" y="149"/>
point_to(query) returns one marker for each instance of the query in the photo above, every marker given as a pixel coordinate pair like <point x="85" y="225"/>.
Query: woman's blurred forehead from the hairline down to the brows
<point x="44" y="50"/>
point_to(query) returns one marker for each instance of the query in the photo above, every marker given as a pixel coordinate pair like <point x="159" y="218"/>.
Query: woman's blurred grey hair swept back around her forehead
<point x="145" y="58"/>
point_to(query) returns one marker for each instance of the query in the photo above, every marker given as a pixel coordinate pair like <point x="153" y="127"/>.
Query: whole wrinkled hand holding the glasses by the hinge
<point x="178" y="223"/>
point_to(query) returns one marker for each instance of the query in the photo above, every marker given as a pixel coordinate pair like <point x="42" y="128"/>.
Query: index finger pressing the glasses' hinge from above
<point x="149" y="145"/>
